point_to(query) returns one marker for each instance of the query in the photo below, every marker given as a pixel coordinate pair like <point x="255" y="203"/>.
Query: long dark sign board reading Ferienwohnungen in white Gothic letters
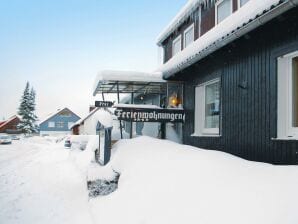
<point x="150" y="115"/>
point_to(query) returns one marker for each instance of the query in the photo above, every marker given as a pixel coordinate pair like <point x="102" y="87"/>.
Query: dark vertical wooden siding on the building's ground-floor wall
<point x="249" y="115"/>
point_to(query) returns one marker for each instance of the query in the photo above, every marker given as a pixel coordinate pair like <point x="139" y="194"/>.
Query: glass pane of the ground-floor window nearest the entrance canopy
<point x="212" y="105"/>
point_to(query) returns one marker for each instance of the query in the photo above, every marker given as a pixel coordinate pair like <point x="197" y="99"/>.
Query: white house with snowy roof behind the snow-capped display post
<point x="88" y="124"/>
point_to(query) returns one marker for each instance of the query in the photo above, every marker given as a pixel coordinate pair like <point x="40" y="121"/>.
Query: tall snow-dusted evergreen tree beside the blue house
<point x="27" y="111"/>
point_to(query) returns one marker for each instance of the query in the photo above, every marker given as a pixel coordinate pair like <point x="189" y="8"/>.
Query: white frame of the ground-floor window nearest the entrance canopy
<point x="200" y="129"/>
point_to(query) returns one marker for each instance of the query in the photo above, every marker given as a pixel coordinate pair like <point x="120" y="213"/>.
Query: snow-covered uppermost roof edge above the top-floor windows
<point x="182" y="15"/>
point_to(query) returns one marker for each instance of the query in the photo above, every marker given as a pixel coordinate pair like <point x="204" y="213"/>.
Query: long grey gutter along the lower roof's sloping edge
<point x="261" y="20"/>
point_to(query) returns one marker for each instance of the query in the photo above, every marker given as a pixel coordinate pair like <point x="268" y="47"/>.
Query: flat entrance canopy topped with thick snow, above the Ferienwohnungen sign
<point x="129" y="82"/>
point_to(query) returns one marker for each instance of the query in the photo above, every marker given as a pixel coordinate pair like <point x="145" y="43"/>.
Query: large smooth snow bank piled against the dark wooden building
<point x="163" y="182"/>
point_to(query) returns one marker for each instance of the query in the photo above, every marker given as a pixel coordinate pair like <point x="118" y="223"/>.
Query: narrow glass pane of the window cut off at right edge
<point x="295" y="92"/>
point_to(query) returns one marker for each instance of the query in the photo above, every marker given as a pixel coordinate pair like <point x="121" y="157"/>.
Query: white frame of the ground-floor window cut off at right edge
<point x="285" y="129"/>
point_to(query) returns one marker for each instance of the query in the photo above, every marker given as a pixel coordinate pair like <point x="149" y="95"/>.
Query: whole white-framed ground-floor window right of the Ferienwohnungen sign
<point x="207" y="112"/>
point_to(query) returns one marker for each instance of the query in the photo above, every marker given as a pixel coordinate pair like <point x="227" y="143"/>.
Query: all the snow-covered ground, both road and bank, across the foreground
<point x="160" y="182"/>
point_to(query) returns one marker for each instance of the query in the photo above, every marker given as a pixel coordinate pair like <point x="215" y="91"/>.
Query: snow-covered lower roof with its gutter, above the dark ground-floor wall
<point x="253" y="14"/>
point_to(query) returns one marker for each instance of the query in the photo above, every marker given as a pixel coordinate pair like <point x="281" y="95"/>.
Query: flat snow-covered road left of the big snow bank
<point x="39" y="184"/>
